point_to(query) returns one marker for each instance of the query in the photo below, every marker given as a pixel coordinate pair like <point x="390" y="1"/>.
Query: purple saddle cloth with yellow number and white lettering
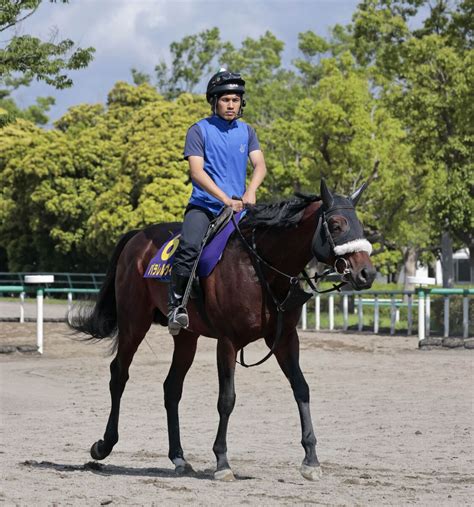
<point x="160" y="265"/>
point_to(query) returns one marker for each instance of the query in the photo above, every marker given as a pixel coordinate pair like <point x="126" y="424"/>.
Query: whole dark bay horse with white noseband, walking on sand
<point x="236" y="308"/>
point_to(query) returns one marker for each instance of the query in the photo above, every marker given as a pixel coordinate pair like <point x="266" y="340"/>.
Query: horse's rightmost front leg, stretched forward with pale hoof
<point x="287" y="355"/>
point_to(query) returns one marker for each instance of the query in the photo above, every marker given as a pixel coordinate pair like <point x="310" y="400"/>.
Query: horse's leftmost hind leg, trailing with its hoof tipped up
<point x="132" y="330"/>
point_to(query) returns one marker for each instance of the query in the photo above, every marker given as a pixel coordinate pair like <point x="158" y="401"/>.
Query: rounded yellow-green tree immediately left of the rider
<point x="151" y="184"/>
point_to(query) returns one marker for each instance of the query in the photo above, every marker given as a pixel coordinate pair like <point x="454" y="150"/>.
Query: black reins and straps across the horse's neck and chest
<point x="295" y="297"/>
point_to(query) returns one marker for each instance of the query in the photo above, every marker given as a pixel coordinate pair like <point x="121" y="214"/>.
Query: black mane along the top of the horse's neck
<point x="282" y="214"/>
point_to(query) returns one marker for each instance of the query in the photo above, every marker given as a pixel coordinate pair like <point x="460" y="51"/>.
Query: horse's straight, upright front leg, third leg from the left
<point x="226" y="356"/>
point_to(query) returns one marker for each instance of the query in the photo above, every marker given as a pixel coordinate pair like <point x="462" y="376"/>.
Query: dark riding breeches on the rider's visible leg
<point x="195" y="224"/>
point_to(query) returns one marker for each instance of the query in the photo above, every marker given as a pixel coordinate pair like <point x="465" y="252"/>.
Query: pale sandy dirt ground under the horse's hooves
<point x="394" y="425"/>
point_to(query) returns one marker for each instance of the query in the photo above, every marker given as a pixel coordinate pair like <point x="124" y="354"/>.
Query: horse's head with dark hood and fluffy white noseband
<point x="339" y="239"/>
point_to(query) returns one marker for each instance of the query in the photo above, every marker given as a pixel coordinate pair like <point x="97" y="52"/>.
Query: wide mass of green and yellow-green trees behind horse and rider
<point x="377" y="101"/>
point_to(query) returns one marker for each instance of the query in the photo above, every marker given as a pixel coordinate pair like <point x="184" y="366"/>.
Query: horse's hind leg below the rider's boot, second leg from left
<point x="183" y="356"/>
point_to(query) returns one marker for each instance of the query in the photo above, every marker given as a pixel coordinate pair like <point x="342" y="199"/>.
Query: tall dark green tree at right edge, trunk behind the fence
<point x="424" y="76"/>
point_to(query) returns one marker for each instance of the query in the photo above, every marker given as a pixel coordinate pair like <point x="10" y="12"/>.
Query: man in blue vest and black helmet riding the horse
<point x="217" y="149"/>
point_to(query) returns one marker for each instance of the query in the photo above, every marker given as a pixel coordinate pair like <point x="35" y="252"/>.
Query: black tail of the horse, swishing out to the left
<point x="100" y="321"/>
